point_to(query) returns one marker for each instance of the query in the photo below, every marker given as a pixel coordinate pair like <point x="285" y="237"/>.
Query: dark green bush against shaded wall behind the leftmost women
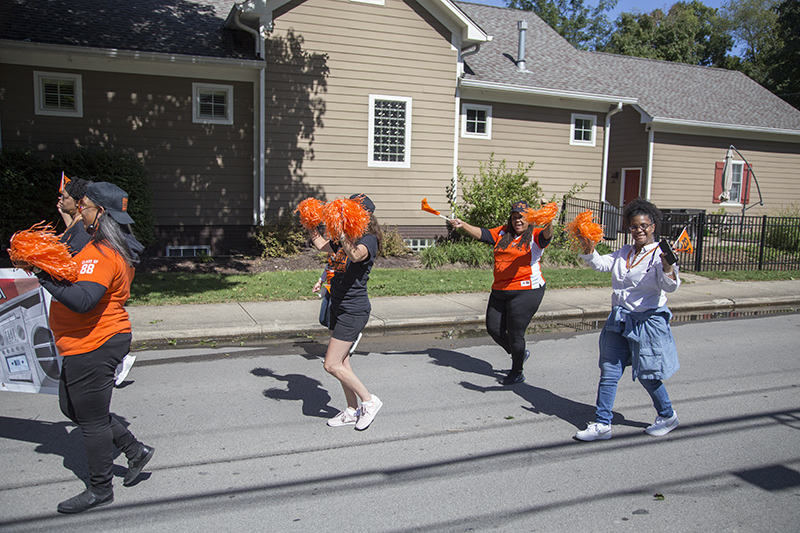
<point x="30" y="184"/>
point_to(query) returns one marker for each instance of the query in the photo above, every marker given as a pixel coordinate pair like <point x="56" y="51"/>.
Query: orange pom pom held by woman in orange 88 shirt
<point x="40" y="247"/>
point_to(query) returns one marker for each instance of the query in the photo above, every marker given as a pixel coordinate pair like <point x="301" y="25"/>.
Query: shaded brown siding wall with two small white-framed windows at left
<point x="200" y="174"/>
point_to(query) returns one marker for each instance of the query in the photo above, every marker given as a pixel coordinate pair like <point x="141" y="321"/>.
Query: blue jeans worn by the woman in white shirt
<point x="615" y="355"/>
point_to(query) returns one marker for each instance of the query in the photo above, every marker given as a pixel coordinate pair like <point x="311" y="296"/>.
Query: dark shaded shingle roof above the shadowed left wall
<point x="166" y="26"/>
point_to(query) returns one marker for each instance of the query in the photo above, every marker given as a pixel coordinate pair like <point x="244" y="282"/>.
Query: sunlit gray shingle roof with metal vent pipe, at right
<point x="665" y="90"/>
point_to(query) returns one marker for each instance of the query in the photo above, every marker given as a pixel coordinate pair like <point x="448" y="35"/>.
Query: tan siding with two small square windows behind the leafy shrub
<point x="541" y="135"/>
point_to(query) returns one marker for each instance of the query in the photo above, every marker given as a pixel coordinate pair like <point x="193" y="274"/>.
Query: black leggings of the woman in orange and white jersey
<point x="507" y="317"/>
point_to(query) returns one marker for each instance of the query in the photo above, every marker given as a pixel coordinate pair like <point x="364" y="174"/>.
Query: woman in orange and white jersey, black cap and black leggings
<point x="518" y="285"/>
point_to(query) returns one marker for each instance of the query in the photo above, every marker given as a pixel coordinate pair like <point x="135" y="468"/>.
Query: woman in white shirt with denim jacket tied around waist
<point x="637" y="331"/>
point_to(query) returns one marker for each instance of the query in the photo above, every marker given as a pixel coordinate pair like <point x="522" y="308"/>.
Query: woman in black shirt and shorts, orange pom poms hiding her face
<point x="355" y="252"/>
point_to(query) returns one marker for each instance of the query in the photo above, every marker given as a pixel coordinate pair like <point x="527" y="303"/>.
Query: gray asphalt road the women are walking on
<point x="241" y="441"/>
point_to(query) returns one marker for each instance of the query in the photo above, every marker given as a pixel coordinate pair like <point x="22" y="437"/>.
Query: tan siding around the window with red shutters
<point x="683" y="172"/>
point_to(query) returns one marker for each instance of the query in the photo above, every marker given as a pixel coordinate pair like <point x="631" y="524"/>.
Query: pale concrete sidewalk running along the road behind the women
<point x="231" y="320"/>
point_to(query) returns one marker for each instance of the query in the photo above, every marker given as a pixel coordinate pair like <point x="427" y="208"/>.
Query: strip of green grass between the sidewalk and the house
<point x="191" y="288"/>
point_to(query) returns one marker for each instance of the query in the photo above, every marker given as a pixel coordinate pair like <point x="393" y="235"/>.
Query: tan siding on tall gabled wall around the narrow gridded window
<point x="392" y="50"/>
